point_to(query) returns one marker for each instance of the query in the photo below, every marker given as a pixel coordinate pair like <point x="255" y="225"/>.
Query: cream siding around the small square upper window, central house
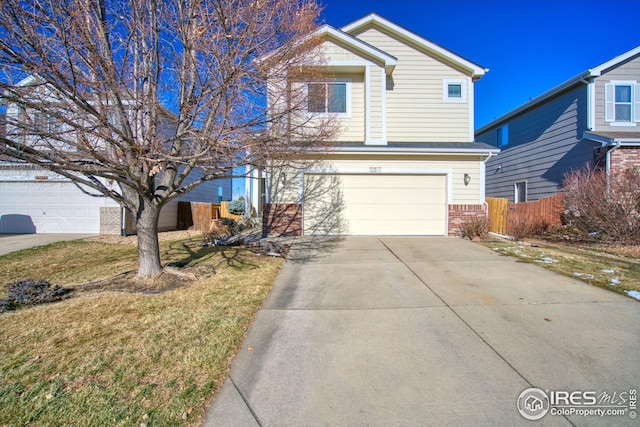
<point x="416" y="111"/>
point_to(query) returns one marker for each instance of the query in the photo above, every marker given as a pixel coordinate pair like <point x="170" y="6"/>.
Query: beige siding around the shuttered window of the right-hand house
<point x="629" y="71"/>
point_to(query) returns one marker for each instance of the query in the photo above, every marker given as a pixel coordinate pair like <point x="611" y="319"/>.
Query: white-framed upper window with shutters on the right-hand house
<point x="622" y="103"/>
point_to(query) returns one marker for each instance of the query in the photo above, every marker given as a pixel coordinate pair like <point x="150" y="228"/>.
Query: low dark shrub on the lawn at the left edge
<point x="31" y="292"/>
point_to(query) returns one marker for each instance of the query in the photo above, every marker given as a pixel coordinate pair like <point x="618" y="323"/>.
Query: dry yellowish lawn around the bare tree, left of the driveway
<point x="122" y="358"/>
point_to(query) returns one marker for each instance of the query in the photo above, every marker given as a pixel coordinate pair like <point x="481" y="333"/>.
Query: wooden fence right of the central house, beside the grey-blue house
<point x="505" y="216"/>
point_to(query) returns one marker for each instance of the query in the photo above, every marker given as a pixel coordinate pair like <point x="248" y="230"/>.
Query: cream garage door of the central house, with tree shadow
<point x="375" y="204"/>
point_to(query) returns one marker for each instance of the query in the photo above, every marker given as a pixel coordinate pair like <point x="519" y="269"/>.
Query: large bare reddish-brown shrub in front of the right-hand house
<point x="608" y="208"/>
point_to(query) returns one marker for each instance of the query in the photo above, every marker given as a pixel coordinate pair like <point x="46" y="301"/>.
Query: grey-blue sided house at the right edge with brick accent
<point x="593" y="118"/>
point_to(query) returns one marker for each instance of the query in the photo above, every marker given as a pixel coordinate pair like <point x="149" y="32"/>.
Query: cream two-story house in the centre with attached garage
<point x="404" y="162"/>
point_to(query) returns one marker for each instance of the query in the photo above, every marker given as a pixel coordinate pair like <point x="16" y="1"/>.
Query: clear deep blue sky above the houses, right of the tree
<point x="529" y="47"/>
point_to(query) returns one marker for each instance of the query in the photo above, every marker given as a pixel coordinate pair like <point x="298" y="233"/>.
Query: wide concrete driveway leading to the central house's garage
<point x="426" y="331"/>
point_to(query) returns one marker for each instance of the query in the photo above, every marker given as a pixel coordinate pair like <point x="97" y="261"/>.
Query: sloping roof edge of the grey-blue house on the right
<point x="581" y="78"/>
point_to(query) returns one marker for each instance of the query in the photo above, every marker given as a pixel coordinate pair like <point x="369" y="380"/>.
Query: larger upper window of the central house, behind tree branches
<point x="332" y="97"/>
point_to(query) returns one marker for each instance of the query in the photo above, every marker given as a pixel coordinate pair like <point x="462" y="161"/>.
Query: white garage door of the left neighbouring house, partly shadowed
<point x="53" y="207"/>
